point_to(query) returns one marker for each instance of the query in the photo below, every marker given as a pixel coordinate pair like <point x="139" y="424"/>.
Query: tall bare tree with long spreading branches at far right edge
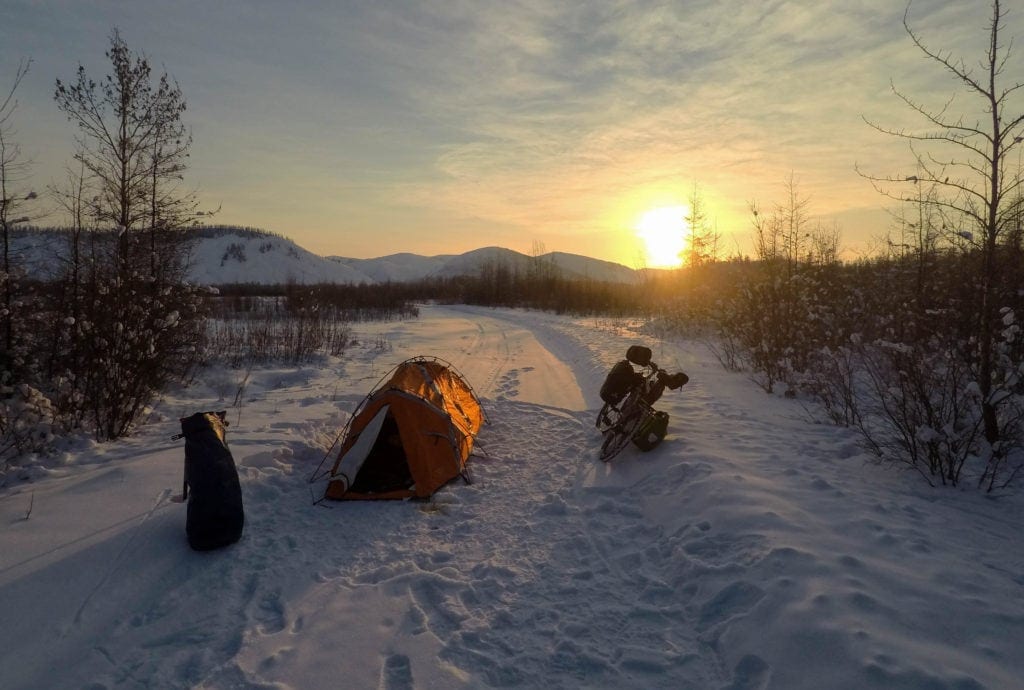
<point x="967" y="161"/>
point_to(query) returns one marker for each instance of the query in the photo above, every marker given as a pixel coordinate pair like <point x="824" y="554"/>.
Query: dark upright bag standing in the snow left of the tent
<point x="216" y="515"/>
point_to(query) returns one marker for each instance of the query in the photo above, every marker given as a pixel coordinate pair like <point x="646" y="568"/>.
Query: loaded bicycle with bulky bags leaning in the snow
<point x="628" y="396"/>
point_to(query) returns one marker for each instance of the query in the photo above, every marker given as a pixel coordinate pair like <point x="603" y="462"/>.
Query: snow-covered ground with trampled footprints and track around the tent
<point x="751" y="550"/>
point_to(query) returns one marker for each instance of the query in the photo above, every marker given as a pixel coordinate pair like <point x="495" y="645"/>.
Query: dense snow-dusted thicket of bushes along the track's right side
<point x="920" y="351"/>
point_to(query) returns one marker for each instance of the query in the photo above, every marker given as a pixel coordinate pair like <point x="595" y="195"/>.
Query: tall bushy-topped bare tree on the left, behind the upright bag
<point x="140" y="322"/>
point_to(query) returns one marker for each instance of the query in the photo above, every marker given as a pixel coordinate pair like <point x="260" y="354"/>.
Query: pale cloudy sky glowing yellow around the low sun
<point x="365" y="130"/>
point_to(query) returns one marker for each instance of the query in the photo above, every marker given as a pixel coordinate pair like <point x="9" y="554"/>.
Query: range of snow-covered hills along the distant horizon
<point x="225" y="255"/>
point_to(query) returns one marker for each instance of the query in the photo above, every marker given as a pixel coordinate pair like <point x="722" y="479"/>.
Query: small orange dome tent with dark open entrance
<point x="409" y="438"/>
